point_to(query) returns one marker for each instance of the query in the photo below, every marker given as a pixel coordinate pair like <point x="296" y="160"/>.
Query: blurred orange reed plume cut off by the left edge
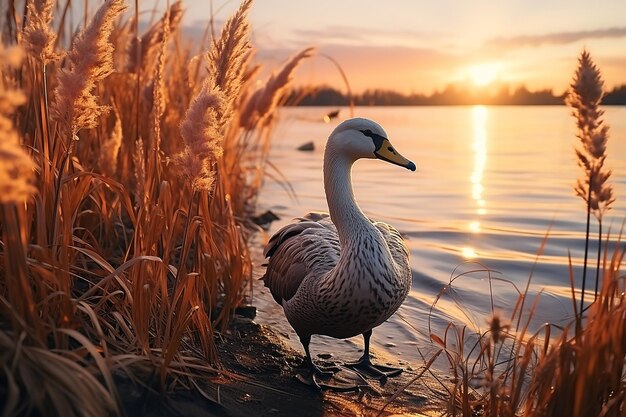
<point x="16" y="166"/>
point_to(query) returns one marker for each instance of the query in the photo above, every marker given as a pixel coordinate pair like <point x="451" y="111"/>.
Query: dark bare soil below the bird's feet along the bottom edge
<point x="259" y="380"/>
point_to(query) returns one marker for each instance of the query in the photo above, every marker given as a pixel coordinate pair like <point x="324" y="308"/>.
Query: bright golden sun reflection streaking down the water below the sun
<point x="479" y="146"/>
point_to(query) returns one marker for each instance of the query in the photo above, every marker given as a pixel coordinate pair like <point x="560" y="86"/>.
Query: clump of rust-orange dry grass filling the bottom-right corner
<point x="583" y="374"/>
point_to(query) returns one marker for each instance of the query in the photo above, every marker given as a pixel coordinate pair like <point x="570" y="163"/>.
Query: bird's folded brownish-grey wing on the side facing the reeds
<point x="308" y="247"/>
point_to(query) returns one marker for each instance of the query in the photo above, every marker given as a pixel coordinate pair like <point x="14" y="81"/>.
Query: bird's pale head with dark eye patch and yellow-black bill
<point x="363" y="138"/>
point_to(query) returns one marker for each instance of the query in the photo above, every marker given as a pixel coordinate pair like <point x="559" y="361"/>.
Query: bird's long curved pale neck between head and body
<point x="344" y="211"/>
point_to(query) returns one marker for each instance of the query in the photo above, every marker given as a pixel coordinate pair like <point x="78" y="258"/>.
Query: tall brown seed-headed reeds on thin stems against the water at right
<point x="584" y="97"/>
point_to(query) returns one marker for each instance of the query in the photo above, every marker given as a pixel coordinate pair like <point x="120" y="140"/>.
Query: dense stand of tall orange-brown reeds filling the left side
<point x="126" y="181"/>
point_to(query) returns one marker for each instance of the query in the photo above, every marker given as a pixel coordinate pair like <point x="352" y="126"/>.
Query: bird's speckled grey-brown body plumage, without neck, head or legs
<point x="345" y="301"/>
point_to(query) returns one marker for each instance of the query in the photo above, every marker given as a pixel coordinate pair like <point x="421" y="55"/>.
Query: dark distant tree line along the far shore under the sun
<point x="451" y="95"/>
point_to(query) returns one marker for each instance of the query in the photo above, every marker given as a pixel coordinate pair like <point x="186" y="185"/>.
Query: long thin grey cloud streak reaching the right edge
<point x="558" y="38"/>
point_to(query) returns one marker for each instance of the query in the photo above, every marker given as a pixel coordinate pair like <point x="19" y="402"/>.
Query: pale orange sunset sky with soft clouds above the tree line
<point x="417" y="46"/>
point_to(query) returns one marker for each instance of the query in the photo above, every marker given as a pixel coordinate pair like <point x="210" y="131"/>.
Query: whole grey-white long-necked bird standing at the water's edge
<point x="341" y="274"/>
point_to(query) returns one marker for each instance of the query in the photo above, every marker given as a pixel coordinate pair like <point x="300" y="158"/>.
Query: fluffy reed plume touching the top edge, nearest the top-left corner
<point x="39" y="37"/>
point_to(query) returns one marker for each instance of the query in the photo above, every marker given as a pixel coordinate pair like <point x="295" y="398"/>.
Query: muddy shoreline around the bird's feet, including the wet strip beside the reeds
<point x="259" y="358"/>
